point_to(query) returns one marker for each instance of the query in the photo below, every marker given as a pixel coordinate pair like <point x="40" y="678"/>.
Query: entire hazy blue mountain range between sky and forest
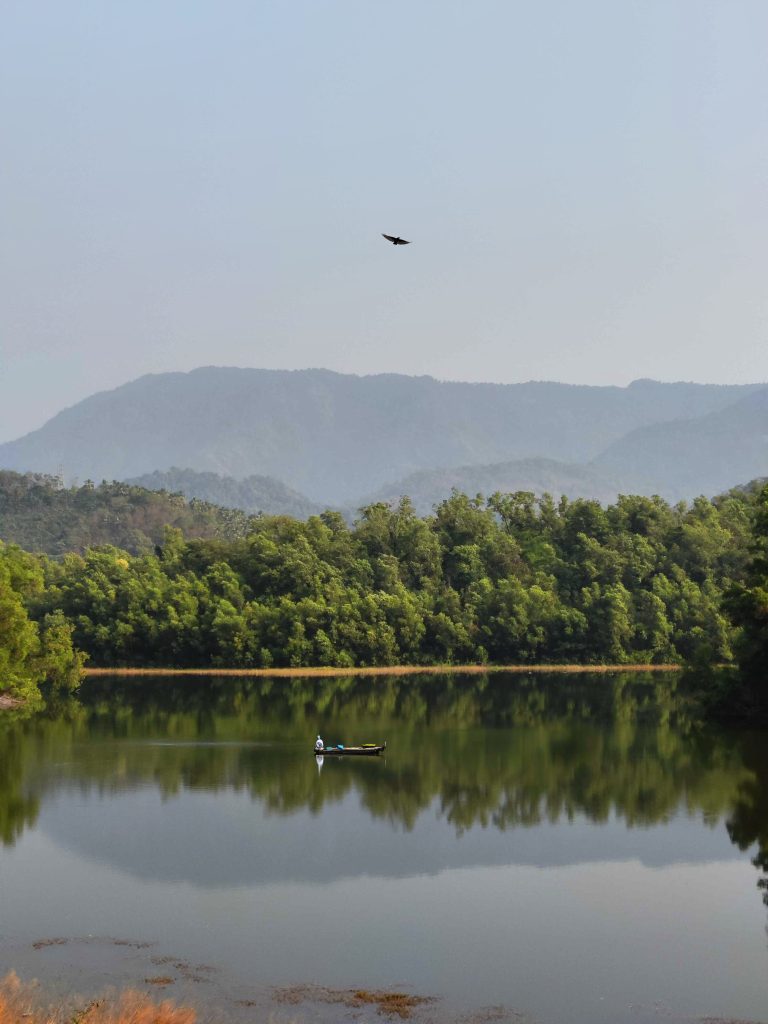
<point x="315" y="438"/>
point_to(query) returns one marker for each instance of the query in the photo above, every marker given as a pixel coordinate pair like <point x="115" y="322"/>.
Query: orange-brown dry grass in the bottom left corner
<point x="20" y="1003"/>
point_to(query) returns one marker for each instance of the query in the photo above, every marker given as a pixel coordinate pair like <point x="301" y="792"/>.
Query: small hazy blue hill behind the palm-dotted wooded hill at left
<point x="255" y="494"/>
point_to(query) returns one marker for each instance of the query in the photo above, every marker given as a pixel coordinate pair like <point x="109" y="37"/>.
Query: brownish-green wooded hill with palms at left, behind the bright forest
<point x="37" y="514"/>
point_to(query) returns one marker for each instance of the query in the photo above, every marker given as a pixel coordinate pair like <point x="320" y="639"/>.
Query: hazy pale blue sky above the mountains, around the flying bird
<point x="186" y="184"/>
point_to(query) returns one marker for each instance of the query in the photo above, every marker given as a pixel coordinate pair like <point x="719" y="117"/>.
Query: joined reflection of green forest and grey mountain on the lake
<point x="480" y="756"/>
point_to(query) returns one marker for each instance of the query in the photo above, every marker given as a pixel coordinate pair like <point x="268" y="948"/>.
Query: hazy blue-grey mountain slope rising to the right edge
<point x="706" y="455"/>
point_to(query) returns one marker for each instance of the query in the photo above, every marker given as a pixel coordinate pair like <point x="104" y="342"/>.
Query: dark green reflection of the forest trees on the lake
<point x="593" y="746"/>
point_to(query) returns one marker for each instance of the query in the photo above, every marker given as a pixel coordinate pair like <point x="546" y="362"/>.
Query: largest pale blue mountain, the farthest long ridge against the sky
<point x="336" y="437"/>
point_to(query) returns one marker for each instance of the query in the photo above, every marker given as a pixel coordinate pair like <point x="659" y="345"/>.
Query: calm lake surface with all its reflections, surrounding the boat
<point x="577" y="849"/>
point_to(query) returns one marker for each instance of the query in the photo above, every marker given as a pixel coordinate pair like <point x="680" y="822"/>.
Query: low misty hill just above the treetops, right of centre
<point x="428" y="488"/>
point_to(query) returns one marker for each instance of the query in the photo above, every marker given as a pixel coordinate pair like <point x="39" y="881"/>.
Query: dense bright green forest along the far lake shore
<point x="514" y="579"/>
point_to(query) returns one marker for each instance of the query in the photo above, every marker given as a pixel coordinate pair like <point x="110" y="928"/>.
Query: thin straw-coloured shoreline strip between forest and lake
<point x="398" y="670"/>
